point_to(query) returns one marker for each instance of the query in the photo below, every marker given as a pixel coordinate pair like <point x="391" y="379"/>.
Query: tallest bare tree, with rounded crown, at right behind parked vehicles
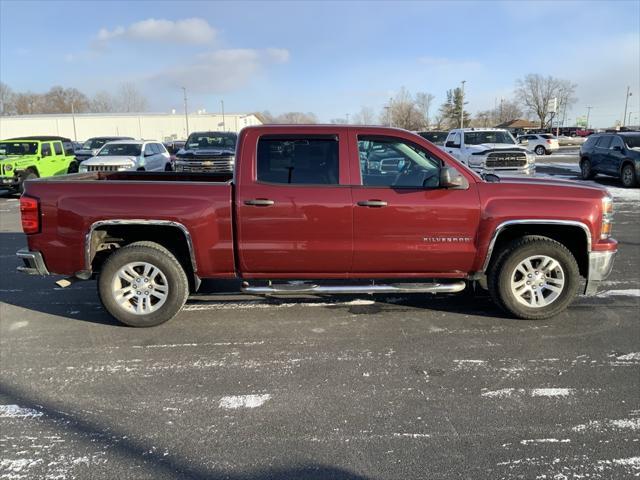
<point x="536" y="93"/>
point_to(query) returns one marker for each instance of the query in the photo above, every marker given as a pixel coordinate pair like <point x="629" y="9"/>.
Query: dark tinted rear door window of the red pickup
<point x="302" y="161"/>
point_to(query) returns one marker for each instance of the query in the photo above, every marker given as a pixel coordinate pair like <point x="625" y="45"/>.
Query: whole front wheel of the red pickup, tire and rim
<point x="536" y="278"/>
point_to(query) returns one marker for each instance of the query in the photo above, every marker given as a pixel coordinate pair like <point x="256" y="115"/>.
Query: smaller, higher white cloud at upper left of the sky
<point x="187" y="31"/>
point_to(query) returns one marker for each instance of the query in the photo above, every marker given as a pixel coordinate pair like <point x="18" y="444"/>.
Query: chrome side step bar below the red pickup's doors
<point x="289" y="289"/>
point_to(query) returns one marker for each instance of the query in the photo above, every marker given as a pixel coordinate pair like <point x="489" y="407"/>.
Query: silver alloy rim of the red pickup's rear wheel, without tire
<point x="140" y="288"/>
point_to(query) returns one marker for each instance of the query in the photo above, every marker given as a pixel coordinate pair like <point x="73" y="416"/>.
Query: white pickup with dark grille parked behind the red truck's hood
<point x="489" y="150"/>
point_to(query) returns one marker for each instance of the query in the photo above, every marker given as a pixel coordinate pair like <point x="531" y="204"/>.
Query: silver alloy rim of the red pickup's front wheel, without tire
<point x="537" y="281"/>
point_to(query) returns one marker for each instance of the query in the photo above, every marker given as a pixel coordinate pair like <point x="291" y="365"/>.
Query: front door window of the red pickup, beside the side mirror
<point x="392" y="162"/>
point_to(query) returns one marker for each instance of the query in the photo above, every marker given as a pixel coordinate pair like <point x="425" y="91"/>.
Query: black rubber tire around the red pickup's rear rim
<point x="159" y="257"/>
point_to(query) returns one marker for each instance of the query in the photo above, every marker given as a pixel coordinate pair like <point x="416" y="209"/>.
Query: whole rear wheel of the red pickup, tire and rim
<point x="143" y="285"/>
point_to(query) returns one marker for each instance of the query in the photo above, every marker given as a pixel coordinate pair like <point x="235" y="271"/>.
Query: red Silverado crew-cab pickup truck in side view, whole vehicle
<point x="320" y="209"/>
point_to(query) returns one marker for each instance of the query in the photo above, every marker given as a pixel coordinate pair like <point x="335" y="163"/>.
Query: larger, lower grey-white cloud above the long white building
<point x="222" y="70"/>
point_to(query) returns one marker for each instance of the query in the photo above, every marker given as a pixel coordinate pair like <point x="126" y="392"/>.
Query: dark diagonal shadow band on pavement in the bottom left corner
<point x="123" y="444"/>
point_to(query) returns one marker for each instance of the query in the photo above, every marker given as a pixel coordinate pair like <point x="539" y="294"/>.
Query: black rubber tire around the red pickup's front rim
<point x="500" y="276"/>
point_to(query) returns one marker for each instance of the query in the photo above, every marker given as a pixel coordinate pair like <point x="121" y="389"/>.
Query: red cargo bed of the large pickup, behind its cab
<point x="71" y="206"/>
